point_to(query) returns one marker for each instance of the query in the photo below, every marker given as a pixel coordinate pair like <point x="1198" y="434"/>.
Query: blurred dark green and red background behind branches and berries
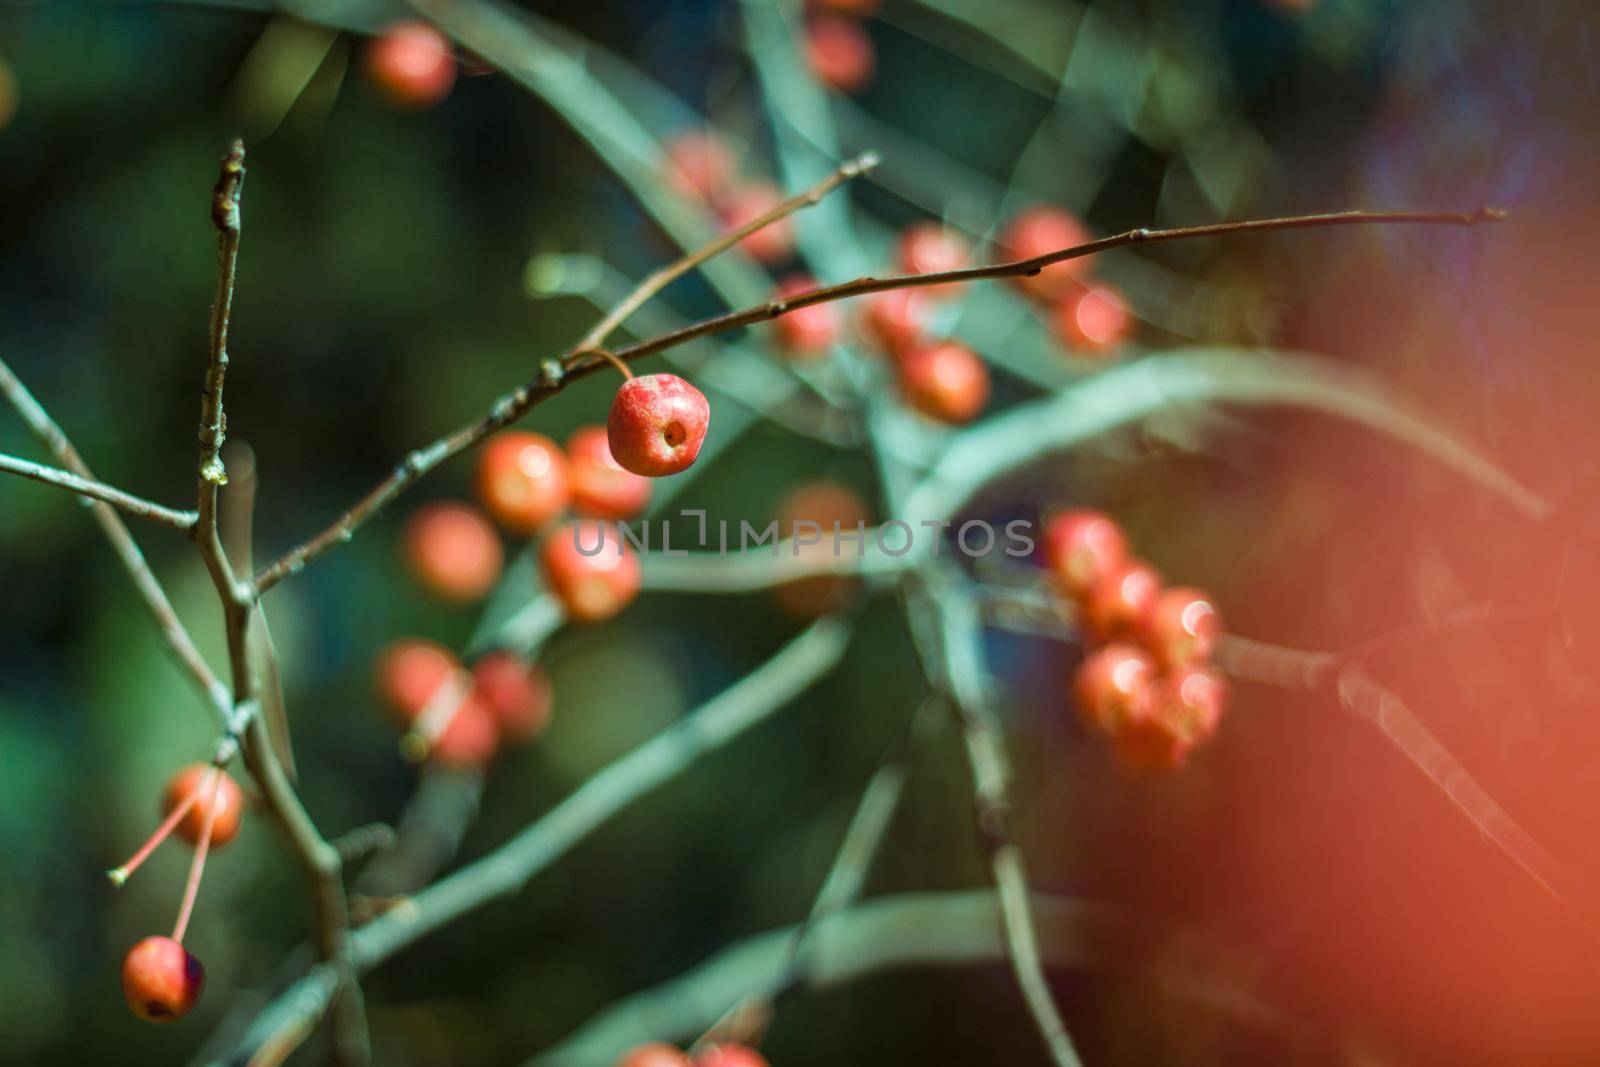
<point x="385" y="297"/>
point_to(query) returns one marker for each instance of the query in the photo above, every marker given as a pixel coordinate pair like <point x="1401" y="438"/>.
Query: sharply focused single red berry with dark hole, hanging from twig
<point x="657" y="425"/>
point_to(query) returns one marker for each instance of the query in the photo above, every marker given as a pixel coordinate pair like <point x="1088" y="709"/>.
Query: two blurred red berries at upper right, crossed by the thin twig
<point x="1089" y="318"/>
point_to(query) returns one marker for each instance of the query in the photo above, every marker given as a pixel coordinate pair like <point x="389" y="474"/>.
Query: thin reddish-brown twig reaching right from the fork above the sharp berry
<point x="1025" y="268"/>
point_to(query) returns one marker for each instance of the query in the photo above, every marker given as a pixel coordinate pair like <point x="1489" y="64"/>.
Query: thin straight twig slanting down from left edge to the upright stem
<point x="174" y="634"/>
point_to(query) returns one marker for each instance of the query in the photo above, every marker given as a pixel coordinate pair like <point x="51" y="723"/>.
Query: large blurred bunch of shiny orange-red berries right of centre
<point x="1146" y="682"/>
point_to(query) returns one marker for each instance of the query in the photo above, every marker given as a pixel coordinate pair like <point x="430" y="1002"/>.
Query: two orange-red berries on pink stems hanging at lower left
<point x="206" y="807"/>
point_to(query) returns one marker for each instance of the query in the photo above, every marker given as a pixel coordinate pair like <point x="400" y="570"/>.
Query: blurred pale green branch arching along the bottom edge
<point x="919" y="930"/>
